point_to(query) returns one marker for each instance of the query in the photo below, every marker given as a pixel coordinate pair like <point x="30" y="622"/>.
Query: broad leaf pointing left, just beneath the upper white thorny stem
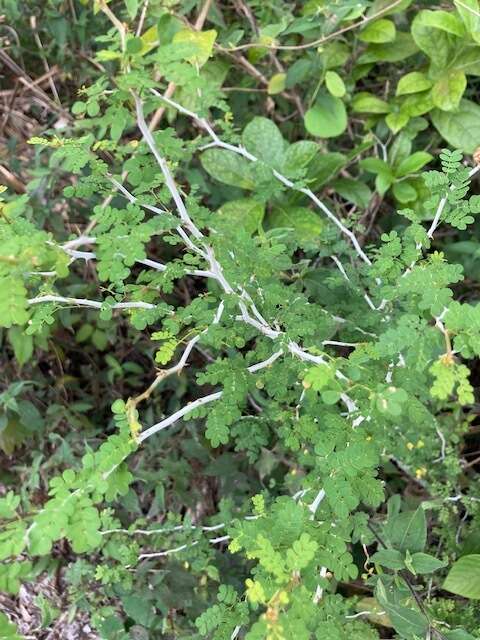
<point x="228" y="167"/>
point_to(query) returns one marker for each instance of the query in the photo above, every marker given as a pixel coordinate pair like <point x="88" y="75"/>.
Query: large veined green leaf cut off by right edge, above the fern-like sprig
<point x="461" y="128"/>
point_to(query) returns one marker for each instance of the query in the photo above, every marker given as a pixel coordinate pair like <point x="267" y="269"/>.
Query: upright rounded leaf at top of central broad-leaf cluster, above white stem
<point x="263" y="139"/>
